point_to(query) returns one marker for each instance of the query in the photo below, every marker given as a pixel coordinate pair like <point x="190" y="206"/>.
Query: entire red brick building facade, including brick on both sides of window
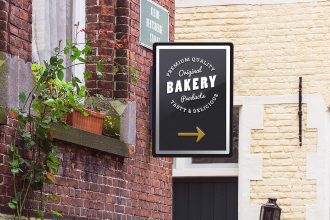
<point x="92" y="184"/>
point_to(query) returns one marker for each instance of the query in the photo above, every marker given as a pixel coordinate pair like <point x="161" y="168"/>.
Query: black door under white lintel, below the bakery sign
<point x="205" y="198"/>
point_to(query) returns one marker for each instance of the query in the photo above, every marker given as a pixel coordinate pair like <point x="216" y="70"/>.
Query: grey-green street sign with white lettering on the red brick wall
<point x="154" y="23"/>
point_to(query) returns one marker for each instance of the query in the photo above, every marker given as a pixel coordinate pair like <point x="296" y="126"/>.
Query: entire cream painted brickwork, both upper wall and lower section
<point x="274" y="45"/>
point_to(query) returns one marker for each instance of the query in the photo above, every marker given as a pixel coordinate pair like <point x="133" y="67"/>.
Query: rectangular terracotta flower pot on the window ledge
<point x="92" y="123"/>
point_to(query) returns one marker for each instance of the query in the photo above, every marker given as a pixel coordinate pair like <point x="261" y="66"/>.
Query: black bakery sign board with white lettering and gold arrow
<point x="192" y="99"/>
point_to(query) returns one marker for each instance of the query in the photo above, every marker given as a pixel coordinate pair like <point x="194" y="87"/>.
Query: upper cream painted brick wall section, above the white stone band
<point x="274" y="44"/>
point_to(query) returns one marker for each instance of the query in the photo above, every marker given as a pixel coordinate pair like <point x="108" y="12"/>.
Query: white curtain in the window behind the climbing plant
<point x="53" y="21"/>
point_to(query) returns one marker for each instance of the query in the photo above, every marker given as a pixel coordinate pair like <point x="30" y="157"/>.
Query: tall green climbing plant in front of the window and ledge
<point x="36" y="161"/>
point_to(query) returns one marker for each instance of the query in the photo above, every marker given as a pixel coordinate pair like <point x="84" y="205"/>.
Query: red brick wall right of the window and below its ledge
<point x="92" y="184"/>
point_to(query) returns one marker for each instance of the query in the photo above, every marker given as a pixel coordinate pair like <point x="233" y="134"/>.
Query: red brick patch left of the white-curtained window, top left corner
<point x="16" y="28"/>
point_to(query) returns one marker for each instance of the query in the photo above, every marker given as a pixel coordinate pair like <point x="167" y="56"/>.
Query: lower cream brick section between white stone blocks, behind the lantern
<point x="284" y="161"/>
